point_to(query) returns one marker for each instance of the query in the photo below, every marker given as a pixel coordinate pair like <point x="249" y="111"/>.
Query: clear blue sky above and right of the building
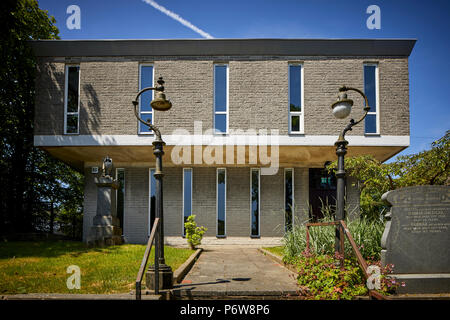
<point x="426" y="21"/>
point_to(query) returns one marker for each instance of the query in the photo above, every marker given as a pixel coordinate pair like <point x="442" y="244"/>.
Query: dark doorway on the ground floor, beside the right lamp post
<point x="322" y="192"/>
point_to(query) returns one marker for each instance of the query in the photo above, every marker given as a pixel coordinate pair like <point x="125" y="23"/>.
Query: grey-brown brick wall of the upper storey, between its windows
<point x="258" y="93"/>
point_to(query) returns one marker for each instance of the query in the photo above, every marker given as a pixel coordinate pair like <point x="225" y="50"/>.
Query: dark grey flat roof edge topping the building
<point x="223" y="47"/>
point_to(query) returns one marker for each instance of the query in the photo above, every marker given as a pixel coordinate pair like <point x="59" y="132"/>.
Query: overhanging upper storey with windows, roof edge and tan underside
<point x="222" y="92"/>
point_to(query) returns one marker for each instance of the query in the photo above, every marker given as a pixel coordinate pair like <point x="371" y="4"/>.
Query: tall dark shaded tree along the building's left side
<point x="29" y="177"/>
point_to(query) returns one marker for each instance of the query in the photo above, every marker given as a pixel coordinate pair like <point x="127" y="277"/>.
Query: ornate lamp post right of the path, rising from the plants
<point x="341" y="109"/>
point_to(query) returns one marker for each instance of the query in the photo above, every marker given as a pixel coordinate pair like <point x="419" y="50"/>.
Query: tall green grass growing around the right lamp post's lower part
<point x="366" y="233"/>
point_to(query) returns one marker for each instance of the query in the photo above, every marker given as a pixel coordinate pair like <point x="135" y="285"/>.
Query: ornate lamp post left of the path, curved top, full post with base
<point x="159" y="103"/>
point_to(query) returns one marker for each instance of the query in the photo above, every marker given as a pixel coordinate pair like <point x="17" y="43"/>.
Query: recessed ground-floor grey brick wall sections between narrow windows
<point x="135" y="227"/>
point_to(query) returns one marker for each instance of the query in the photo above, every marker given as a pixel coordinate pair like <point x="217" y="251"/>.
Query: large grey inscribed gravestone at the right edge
<point x="416" y="239"/>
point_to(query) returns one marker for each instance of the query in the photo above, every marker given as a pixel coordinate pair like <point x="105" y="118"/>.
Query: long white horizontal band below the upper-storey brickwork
<point x="281" y="140"/>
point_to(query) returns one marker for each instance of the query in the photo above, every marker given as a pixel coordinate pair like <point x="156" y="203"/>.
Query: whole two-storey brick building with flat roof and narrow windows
<point x="247" y="138"/>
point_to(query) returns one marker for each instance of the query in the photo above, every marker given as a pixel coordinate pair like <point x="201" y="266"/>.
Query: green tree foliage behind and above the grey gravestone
<point x="429" y="167"/>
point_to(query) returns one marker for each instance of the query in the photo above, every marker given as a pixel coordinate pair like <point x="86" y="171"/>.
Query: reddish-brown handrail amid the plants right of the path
<point x="362" y="263"/>
